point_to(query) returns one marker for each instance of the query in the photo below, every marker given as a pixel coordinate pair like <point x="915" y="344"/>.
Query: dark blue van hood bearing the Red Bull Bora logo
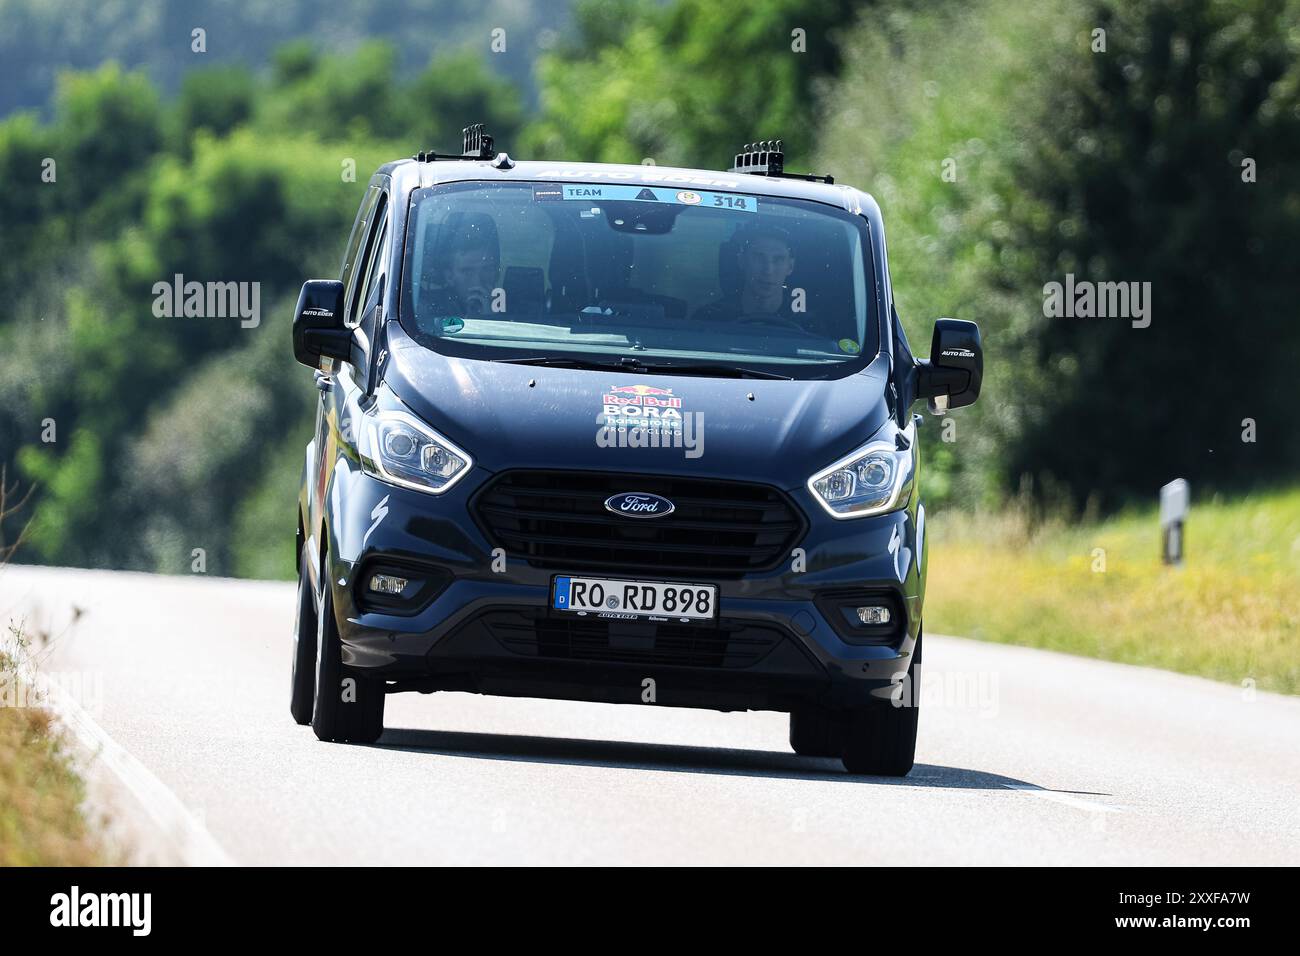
<point x="536" y="417"/>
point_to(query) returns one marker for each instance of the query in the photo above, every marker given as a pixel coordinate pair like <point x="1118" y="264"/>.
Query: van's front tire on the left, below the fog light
<point x="349" y="706"/>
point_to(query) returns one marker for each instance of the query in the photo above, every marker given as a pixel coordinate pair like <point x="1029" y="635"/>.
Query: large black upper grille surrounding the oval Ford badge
<point x="720" y="529"/>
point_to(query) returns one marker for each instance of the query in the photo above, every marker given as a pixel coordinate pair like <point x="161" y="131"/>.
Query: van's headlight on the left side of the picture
<point x="401" y="449"/>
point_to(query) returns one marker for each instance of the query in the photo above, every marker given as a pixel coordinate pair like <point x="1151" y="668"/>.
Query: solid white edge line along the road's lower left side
<point x="193" y="843"/>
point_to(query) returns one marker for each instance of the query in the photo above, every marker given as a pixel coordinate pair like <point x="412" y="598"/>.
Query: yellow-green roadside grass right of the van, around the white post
<point x="1232" y="613"/>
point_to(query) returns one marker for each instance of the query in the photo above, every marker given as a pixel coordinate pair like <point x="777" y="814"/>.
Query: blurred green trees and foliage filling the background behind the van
<point x="1125" y="165"/>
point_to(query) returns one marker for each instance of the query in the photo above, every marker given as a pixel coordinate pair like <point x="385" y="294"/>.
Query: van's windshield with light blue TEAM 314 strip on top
<point x="649" y="278"/>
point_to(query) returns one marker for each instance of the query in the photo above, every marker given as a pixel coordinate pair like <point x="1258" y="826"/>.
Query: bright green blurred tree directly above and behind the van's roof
<point x="688" y="83"/>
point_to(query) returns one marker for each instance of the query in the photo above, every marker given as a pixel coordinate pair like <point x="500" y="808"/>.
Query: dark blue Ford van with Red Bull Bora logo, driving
<point x="618" y="434"/>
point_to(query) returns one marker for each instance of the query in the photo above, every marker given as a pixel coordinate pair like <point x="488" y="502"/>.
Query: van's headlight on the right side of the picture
<point x="873" y="481"/>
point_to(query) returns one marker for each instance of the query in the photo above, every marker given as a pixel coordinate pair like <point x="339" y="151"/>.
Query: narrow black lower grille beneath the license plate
<point x="535" y="634"/>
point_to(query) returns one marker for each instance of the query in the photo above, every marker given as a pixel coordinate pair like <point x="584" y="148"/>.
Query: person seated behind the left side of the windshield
<point x="462" y="270"/>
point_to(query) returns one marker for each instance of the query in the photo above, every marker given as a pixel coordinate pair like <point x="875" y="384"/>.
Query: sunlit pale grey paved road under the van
<point x="1025" y="756"/>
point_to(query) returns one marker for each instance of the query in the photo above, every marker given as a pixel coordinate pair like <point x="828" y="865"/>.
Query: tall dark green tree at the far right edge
<point x="1172" y="158"/>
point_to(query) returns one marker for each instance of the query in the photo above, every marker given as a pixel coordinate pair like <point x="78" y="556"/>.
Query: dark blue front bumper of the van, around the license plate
<point x="474" y="635"/>
